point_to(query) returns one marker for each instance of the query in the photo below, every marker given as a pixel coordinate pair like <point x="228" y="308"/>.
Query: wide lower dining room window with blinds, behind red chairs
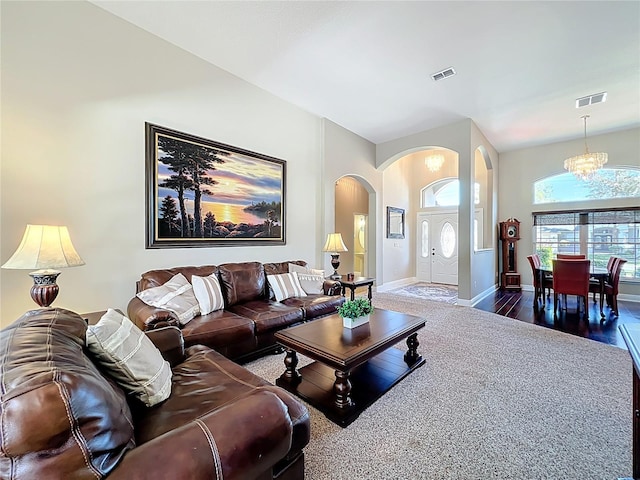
<point x="599" y="234"/>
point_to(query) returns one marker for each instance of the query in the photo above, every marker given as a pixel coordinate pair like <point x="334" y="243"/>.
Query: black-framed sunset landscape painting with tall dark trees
<point x="202" y="193"/>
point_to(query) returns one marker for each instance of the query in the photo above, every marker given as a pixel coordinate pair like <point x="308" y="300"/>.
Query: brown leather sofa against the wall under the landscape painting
<point x="245" y="328"/>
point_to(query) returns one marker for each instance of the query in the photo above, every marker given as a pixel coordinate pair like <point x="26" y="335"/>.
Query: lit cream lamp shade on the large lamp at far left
<point x="44" y="247"/>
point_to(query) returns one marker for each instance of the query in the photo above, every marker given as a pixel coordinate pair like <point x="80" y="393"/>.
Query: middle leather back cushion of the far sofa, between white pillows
<point x="242" y="282"/>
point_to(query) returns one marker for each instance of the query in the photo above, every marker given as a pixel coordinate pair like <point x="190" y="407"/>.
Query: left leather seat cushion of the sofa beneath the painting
<point x="218" y="329"/>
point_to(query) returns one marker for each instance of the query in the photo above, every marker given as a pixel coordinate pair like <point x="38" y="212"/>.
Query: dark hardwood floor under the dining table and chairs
<point x="519" y="305"/>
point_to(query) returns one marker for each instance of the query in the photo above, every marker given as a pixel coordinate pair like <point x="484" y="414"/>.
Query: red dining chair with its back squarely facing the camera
<point x="571" y="277"/>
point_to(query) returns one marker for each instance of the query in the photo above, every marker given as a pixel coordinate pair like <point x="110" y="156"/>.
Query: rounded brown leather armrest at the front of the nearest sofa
<point x="240" y="441"/>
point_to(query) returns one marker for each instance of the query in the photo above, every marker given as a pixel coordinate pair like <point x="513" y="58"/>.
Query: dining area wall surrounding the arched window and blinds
<point x="519" y="169"/>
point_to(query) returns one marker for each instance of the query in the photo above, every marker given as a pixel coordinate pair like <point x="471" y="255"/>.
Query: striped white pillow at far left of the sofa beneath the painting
<point x="175" y="295"/>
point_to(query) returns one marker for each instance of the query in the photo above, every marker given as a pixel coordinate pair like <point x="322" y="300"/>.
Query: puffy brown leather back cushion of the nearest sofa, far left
<point x="55" y="400"/>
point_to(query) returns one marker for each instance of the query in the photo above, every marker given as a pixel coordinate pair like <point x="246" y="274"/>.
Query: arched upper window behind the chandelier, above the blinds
<point x="607" y="183"/>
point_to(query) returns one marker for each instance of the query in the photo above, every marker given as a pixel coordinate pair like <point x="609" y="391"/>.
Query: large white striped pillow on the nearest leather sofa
<point x="130" y="357"/>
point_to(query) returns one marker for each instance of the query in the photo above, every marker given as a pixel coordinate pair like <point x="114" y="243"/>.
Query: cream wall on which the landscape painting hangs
<point x="78" y="84"/>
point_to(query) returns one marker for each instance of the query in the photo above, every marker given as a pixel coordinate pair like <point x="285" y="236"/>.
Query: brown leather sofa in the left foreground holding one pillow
<point x="62" y="418"/>
